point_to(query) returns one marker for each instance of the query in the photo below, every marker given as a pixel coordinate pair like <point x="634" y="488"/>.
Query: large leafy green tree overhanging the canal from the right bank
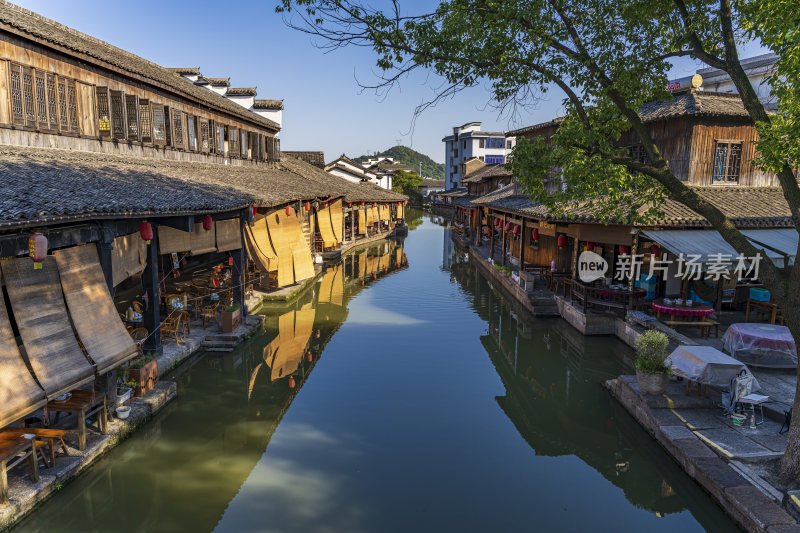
<point x="608" y="58"/>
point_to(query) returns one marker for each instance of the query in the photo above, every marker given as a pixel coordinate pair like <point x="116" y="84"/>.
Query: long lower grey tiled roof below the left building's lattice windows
<point x="49" y="185"/>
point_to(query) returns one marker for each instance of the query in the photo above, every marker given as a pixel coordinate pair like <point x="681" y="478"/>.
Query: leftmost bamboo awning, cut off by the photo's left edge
<point x="20" y="395"/>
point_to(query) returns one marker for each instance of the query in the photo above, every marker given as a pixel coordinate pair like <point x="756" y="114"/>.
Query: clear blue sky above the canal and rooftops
<point x="324" y="106"/>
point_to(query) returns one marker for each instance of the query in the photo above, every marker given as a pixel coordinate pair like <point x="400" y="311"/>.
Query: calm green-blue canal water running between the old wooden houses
<point x="420" y="402"/>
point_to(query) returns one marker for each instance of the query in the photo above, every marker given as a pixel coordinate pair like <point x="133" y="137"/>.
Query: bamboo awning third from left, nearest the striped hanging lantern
<point x="102" y="333"/>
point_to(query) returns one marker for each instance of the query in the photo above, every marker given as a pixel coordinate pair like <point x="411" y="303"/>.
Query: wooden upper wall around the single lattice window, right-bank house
<point x="704" y="137"/>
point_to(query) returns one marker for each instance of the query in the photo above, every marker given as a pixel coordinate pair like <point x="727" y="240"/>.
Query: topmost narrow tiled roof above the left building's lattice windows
<point x="61" y="36"/>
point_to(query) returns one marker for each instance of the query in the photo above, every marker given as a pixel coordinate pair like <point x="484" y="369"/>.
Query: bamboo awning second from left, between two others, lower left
<point x="38" y="306"/>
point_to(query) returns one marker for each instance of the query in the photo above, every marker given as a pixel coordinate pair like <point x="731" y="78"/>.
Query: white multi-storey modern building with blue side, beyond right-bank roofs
<point x="467" y="142"/>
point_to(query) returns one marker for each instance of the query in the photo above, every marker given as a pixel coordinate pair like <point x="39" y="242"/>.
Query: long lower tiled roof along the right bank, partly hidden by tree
<point x="745" y="206"/>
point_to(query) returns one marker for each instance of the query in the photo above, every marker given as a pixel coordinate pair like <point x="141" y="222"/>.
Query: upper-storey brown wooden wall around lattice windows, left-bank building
<point x="88" y="77"/>
